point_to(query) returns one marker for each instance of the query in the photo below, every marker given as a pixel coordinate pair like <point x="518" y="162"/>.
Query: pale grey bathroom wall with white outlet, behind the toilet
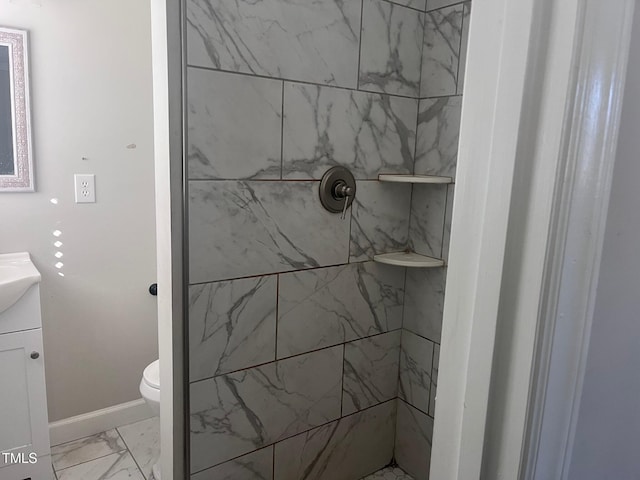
<point x="91" y="97"/>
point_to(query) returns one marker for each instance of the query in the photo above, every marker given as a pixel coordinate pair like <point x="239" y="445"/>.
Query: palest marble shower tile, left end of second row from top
<point x="234" y="126"/>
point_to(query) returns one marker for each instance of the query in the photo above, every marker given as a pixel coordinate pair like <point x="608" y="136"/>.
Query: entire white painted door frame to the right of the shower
<point x="534" y="176"/>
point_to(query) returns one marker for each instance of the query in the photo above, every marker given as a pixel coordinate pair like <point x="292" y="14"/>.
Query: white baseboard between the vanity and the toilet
<point x="87" y="424"/>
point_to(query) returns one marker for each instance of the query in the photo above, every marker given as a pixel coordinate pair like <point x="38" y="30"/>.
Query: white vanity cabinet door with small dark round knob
<point x="24" y="428"/>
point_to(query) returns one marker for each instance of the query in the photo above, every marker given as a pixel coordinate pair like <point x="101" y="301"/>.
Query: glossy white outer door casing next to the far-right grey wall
<point x="577" y="236"/>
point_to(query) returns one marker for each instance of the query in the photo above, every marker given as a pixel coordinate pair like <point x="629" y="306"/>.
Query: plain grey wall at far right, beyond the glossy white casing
<point x="608" y="432"/>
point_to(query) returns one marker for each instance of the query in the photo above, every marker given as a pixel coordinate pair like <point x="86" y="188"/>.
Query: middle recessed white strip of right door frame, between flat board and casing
<point x="540" y="155"/>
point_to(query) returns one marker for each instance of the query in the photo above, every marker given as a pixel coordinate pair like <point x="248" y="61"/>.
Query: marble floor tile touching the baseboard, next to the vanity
<point x="85" y="449"/>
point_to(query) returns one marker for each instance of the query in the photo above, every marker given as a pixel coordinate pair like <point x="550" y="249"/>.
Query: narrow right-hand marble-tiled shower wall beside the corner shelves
<point x="443" y="61"/>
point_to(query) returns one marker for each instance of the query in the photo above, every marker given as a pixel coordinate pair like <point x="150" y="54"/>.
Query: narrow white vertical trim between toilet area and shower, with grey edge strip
<point x="167" y="22"/>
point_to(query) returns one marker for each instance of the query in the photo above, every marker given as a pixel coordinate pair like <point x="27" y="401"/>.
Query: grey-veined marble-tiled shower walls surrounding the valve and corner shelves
<point x="295" y="334"/>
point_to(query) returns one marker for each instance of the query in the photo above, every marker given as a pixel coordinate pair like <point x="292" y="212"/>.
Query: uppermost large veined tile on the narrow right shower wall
<point x="441" y="52"/>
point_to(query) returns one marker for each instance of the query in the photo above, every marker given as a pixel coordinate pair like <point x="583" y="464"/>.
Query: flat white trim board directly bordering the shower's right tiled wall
<point x="496" y="69"/>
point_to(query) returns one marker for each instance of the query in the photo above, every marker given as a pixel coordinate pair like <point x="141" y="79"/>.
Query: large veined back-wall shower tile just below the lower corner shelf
<point x="328" y="306"/>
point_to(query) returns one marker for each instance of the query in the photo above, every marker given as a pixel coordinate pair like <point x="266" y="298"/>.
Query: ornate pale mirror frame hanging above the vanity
<point x="22" y="179"/>
